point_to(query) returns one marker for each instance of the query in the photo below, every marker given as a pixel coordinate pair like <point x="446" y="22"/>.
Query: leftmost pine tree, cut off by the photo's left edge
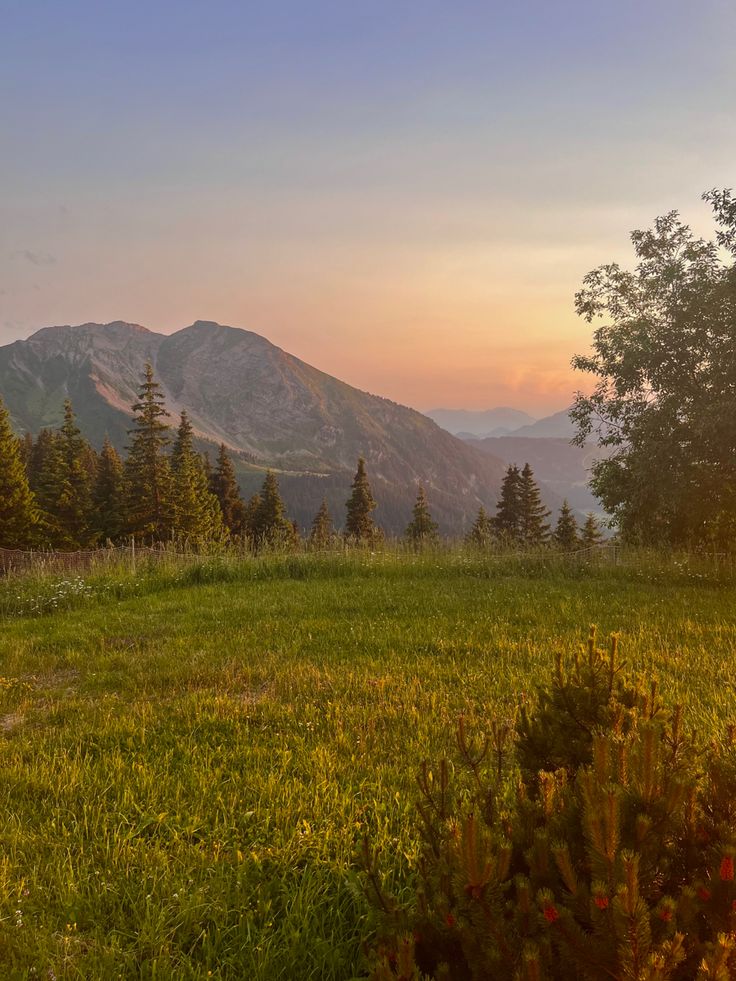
<point x="18" y="511"/>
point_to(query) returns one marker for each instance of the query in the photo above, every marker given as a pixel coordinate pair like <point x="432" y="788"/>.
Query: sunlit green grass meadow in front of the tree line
<point x="190" y="755"/>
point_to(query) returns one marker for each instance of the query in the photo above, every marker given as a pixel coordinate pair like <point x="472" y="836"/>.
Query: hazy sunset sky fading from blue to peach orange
<point x="404" y="193"/>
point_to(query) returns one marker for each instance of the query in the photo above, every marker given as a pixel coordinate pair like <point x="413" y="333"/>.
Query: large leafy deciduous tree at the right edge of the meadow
<point x="664" y="401"/>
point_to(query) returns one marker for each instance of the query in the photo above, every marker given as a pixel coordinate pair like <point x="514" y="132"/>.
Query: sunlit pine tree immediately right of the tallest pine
<point x="195" y="512"/>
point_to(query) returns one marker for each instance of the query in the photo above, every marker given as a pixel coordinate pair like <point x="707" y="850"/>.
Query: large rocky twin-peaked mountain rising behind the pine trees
<point x="270" y="408"/>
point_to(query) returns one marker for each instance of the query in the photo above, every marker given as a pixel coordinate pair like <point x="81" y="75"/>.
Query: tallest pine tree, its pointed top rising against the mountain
<point x="147" y="470"/>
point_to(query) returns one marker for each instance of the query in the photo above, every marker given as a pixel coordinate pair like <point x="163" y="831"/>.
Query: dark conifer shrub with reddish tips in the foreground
<point x="589" y="838"/>
